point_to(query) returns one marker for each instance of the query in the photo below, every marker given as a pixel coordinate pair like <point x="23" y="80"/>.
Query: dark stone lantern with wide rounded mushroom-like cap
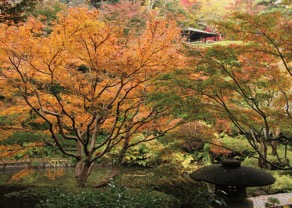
<point x="232" y="178"/>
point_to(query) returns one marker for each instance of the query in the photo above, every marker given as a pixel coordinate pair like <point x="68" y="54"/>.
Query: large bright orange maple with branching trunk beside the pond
<point x="88" y="81"/>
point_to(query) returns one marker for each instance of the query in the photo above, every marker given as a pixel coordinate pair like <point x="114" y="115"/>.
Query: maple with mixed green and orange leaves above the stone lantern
<point x="250" y="83"/>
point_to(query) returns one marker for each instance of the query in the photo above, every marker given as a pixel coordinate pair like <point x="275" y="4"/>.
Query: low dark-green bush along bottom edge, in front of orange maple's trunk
<point x="114" y="196"/>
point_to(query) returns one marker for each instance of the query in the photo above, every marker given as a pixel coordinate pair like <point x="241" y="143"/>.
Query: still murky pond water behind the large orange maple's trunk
<point x="64" y="177"/>
